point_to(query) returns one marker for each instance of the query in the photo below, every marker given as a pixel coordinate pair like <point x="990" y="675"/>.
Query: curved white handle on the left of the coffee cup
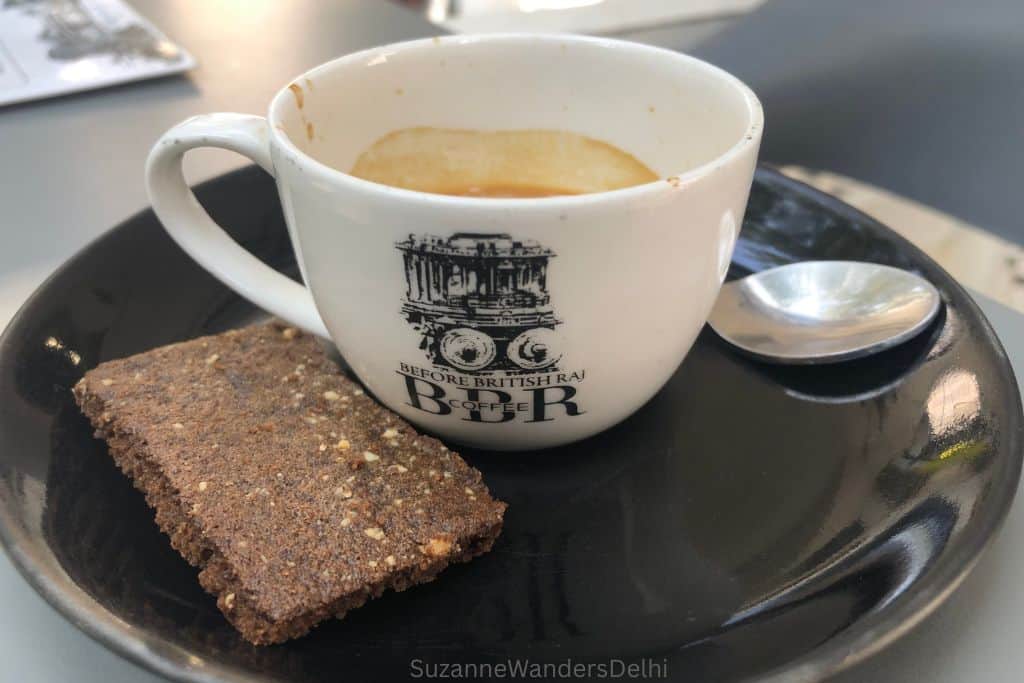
<point x="191" y="227"/>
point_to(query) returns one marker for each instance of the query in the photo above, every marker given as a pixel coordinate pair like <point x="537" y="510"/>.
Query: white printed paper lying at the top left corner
<point x="52" y="48"/>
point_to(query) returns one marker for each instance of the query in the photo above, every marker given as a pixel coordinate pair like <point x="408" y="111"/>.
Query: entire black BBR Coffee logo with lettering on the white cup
<point x="482" y="307"/>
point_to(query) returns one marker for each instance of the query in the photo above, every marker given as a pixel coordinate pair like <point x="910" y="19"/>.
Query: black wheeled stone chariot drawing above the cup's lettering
<point x="481" y="303"/>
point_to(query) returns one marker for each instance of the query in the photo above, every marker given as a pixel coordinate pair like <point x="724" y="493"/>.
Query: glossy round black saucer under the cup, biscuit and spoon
<point x="751" y="521"/>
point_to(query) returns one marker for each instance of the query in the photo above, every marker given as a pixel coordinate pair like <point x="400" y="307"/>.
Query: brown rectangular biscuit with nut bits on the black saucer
<point x="297" y="496"/>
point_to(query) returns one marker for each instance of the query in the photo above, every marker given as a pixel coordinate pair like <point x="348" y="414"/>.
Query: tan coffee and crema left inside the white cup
<point x="499" y="164"/>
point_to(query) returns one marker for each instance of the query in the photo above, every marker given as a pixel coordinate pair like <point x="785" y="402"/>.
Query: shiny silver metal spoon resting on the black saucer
<point x="824" y="312"/>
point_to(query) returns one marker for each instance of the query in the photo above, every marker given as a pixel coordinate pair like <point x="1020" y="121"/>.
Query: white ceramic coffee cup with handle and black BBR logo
<point x="499" y="323"/>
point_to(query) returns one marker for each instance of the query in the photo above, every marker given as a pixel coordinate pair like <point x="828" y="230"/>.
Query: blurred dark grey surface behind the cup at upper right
<point x="922" y="98"/>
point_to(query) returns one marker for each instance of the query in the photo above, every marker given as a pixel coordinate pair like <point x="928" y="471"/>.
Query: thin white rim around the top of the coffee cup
<point x="751" y="137"/>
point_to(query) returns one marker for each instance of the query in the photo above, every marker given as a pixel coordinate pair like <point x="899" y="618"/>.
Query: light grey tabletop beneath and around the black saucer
<point x="71" y="168"/>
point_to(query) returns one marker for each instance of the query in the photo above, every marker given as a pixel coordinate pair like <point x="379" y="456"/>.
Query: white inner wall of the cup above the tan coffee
<point x="672" y="112"/>
